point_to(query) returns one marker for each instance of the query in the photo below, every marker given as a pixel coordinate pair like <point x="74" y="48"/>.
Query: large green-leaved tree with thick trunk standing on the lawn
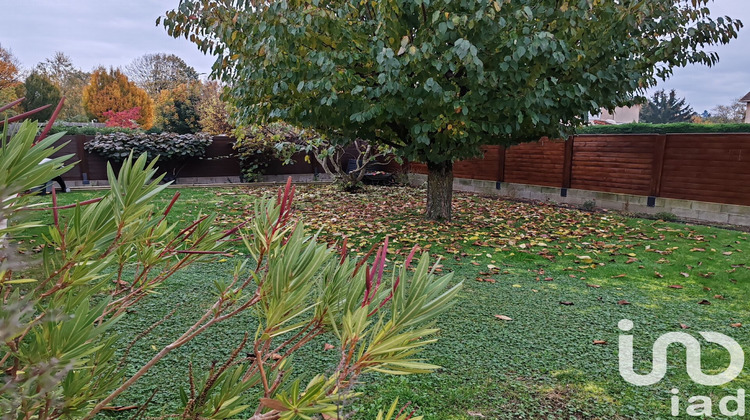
<point x="438" y="79"/>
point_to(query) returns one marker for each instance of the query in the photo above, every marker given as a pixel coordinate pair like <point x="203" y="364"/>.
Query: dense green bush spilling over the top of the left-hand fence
<point x="118" y="146"/>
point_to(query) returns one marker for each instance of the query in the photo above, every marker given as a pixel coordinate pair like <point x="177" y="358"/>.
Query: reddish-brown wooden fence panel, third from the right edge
<point x="537" y="163"/>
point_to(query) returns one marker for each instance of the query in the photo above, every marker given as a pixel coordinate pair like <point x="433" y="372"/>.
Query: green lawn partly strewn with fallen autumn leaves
<point x="516" y="259"/>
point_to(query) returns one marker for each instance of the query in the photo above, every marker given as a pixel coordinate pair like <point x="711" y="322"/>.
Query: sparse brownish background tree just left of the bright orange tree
<point x="70" y="80"/>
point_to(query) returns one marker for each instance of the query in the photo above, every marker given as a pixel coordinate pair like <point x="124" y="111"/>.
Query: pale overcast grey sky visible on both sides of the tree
<point x="114" y="32"/>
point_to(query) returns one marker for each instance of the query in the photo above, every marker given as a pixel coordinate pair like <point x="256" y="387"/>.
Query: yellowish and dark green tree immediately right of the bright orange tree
<point x="176" y="108"/>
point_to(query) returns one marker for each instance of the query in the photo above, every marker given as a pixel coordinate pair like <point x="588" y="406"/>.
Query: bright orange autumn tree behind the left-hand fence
<point x="112" y="91"/>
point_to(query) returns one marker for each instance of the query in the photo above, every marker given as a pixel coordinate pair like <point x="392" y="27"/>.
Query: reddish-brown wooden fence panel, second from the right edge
<point x="619" y="164"/>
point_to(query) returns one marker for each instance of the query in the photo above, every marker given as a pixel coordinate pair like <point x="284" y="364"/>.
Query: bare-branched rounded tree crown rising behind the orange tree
<point x="156" y="72"/>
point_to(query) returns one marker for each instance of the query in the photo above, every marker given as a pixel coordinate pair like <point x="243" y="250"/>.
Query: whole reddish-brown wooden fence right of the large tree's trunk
<point x="705" y="167"/>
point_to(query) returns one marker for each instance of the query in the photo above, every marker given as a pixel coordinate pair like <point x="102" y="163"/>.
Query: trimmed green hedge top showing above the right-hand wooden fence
<point x="642" y="128"/>
